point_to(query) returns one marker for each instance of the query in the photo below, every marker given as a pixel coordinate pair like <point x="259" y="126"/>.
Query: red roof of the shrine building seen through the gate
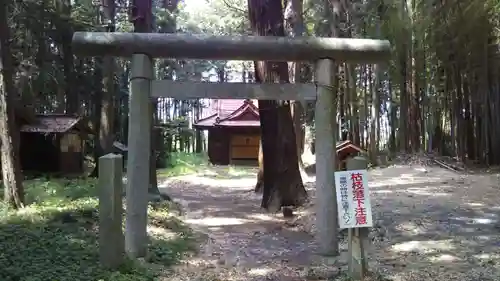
<point x="231" y="113"/>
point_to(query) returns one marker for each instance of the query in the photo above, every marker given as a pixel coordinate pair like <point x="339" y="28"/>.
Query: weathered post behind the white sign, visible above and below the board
<point x="358" y="240"/>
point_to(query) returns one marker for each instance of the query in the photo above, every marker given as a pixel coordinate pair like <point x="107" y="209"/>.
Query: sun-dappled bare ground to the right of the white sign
<point x="436" y="224"/>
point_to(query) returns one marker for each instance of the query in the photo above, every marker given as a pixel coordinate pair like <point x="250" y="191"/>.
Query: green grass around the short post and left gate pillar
<point x="55" y="237"/>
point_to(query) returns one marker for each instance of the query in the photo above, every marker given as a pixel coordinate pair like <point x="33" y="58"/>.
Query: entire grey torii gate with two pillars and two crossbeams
<point x="143" y="47"/>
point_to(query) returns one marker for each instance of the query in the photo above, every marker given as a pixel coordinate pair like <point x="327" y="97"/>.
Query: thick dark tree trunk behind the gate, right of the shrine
<point x="282" y="183"/>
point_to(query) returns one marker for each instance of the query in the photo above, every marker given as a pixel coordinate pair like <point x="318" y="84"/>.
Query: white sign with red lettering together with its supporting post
<point x="355" y="213"/>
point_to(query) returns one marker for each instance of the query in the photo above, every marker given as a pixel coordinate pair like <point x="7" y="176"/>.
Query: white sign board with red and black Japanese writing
<point x="353" y="199"/>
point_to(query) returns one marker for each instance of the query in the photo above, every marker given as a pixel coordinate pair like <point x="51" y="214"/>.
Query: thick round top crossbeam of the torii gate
<point x="253" y="48"/>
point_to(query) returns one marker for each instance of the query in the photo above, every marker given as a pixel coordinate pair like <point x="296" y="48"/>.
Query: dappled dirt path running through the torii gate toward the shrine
<point x="243" y="241"/>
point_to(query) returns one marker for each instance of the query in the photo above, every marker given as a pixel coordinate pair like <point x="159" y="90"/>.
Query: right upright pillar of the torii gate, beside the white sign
<point x="326" y="202"/>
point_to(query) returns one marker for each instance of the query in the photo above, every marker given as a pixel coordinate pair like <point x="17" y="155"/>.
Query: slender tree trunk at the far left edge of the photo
<point x="9" y="132"/>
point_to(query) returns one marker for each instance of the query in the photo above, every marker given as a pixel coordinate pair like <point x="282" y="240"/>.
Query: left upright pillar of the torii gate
<point x="138" y="156"/>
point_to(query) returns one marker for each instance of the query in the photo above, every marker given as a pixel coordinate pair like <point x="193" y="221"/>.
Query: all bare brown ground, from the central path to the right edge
<point x="430" y="224"/>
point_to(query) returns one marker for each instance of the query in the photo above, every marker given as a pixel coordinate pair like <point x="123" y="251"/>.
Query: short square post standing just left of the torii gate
<point x="110" y="185"/>
